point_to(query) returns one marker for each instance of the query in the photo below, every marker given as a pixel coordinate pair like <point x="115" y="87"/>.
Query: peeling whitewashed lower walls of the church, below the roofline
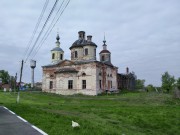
<point x="91" y="72"/>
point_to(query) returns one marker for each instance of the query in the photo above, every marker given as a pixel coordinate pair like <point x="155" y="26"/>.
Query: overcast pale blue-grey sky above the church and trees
<point x="142" y="35"/>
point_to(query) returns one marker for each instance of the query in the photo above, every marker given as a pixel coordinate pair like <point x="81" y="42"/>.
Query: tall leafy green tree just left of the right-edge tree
<point x="167" y="81"/>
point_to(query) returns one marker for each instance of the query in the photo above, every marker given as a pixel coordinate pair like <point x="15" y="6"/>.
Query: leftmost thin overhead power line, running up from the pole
<point x="36" y="27"/>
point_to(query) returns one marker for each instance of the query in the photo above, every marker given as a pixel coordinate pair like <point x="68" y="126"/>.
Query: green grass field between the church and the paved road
<point x="125" y="113"/>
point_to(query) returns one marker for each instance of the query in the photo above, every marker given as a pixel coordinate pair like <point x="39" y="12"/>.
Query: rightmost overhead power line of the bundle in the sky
<point x="48" y="32"/>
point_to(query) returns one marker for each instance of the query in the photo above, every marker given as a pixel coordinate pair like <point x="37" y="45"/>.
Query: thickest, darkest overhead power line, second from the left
<point x="42" y="29"/>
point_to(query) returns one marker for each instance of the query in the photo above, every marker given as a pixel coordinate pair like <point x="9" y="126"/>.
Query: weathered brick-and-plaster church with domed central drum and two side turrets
<point x="83" y="74"/>
